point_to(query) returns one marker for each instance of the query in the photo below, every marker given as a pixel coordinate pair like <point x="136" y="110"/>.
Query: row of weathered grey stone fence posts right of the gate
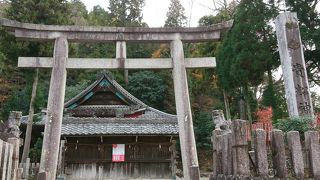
<point x="283" y="159"/>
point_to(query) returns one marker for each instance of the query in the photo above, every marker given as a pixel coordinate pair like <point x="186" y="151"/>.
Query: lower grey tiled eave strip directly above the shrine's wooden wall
<point x="116" y="126"/>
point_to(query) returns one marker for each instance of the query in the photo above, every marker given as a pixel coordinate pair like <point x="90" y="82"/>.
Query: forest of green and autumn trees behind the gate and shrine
<point x="245" y="83"/>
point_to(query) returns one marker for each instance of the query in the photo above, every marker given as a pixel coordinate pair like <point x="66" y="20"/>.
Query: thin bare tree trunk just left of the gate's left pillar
<point x="26" y="147"/>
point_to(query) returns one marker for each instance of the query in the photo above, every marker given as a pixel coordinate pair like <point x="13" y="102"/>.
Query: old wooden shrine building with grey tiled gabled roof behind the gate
<point x="108" y="133"/>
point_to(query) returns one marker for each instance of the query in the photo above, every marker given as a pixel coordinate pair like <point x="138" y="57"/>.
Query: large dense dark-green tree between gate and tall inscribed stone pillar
<point x="247" y="50"/>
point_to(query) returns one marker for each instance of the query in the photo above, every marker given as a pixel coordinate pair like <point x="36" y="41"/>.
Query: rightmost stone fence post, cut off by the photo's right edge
<point x="313" y="148"/>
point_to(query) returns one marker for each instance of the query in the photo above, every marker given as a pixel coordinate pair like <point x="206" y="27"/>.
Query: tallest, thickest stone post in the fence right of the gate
<point x="240" y="154"/>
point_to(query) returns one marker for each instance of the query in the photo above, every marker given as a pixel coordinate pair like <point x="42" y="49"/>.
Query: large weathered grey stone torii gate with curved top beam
<point x="60" y="62"/>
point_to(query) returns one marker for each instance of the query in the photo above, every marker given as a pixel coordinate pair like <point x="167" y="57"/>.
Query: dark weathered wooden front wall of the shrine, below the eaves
<point x="145" y="157"/>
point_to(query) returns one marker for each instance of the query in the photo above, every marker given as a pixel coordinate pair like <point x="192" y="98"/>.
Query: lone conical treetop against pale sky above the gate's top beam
<point x="175" y="15"/>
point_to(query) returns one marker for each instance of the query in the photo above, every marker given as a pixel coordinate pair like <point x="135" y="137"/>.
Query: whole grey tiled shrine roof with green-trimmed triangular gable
<point x="148" y="120"/>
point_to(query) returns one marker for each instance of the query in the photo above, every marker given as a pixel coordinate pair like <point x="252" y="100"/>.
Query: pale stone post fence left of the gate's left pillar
<point x="9" y="159"/>
